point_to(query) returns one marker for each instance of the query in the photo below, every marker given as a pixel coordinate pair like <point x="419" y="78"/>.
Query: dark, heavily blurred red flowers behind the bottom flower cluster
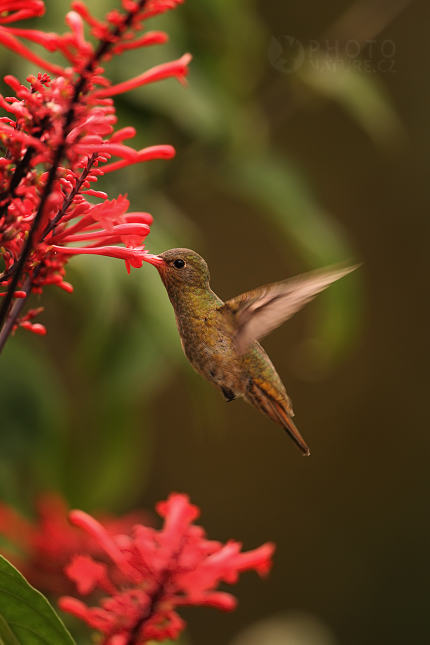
<point x="42" y="548"/>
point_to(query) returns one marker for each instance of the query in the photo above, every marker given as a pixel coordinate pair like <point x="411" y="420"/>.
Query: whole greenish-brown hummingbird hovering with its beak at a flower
<point x="220" y="339"/>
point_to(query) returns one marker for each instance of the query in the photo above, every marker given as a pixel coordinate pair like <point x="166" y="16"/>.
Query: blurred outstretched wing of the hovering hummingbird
<point x="260" y="311"/>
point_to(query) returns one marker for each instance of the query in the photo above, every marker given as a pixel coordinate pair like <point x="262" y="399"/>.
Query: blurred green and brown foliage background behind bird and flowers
<point x="294" y="150"/>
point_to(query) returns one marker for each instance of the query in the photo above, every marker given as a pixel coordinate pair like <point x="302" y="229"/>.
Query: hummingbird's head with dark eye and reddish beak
<point x="180" y="268"/>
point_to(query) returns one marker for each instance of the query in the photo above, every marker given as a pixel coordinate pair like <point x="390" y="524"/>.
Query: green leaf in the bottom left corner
<point x="26" y="617"/>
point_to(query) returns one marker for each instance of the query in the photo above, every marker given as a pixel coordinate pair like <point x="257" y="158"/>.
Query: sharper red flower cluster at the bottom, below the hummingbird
<point x="154" y="572"/>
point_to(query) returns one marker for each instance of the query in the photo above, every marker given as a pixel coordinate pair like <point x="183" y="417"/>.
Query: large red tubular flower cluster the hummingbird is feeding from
<point x="58" y="135"/>
